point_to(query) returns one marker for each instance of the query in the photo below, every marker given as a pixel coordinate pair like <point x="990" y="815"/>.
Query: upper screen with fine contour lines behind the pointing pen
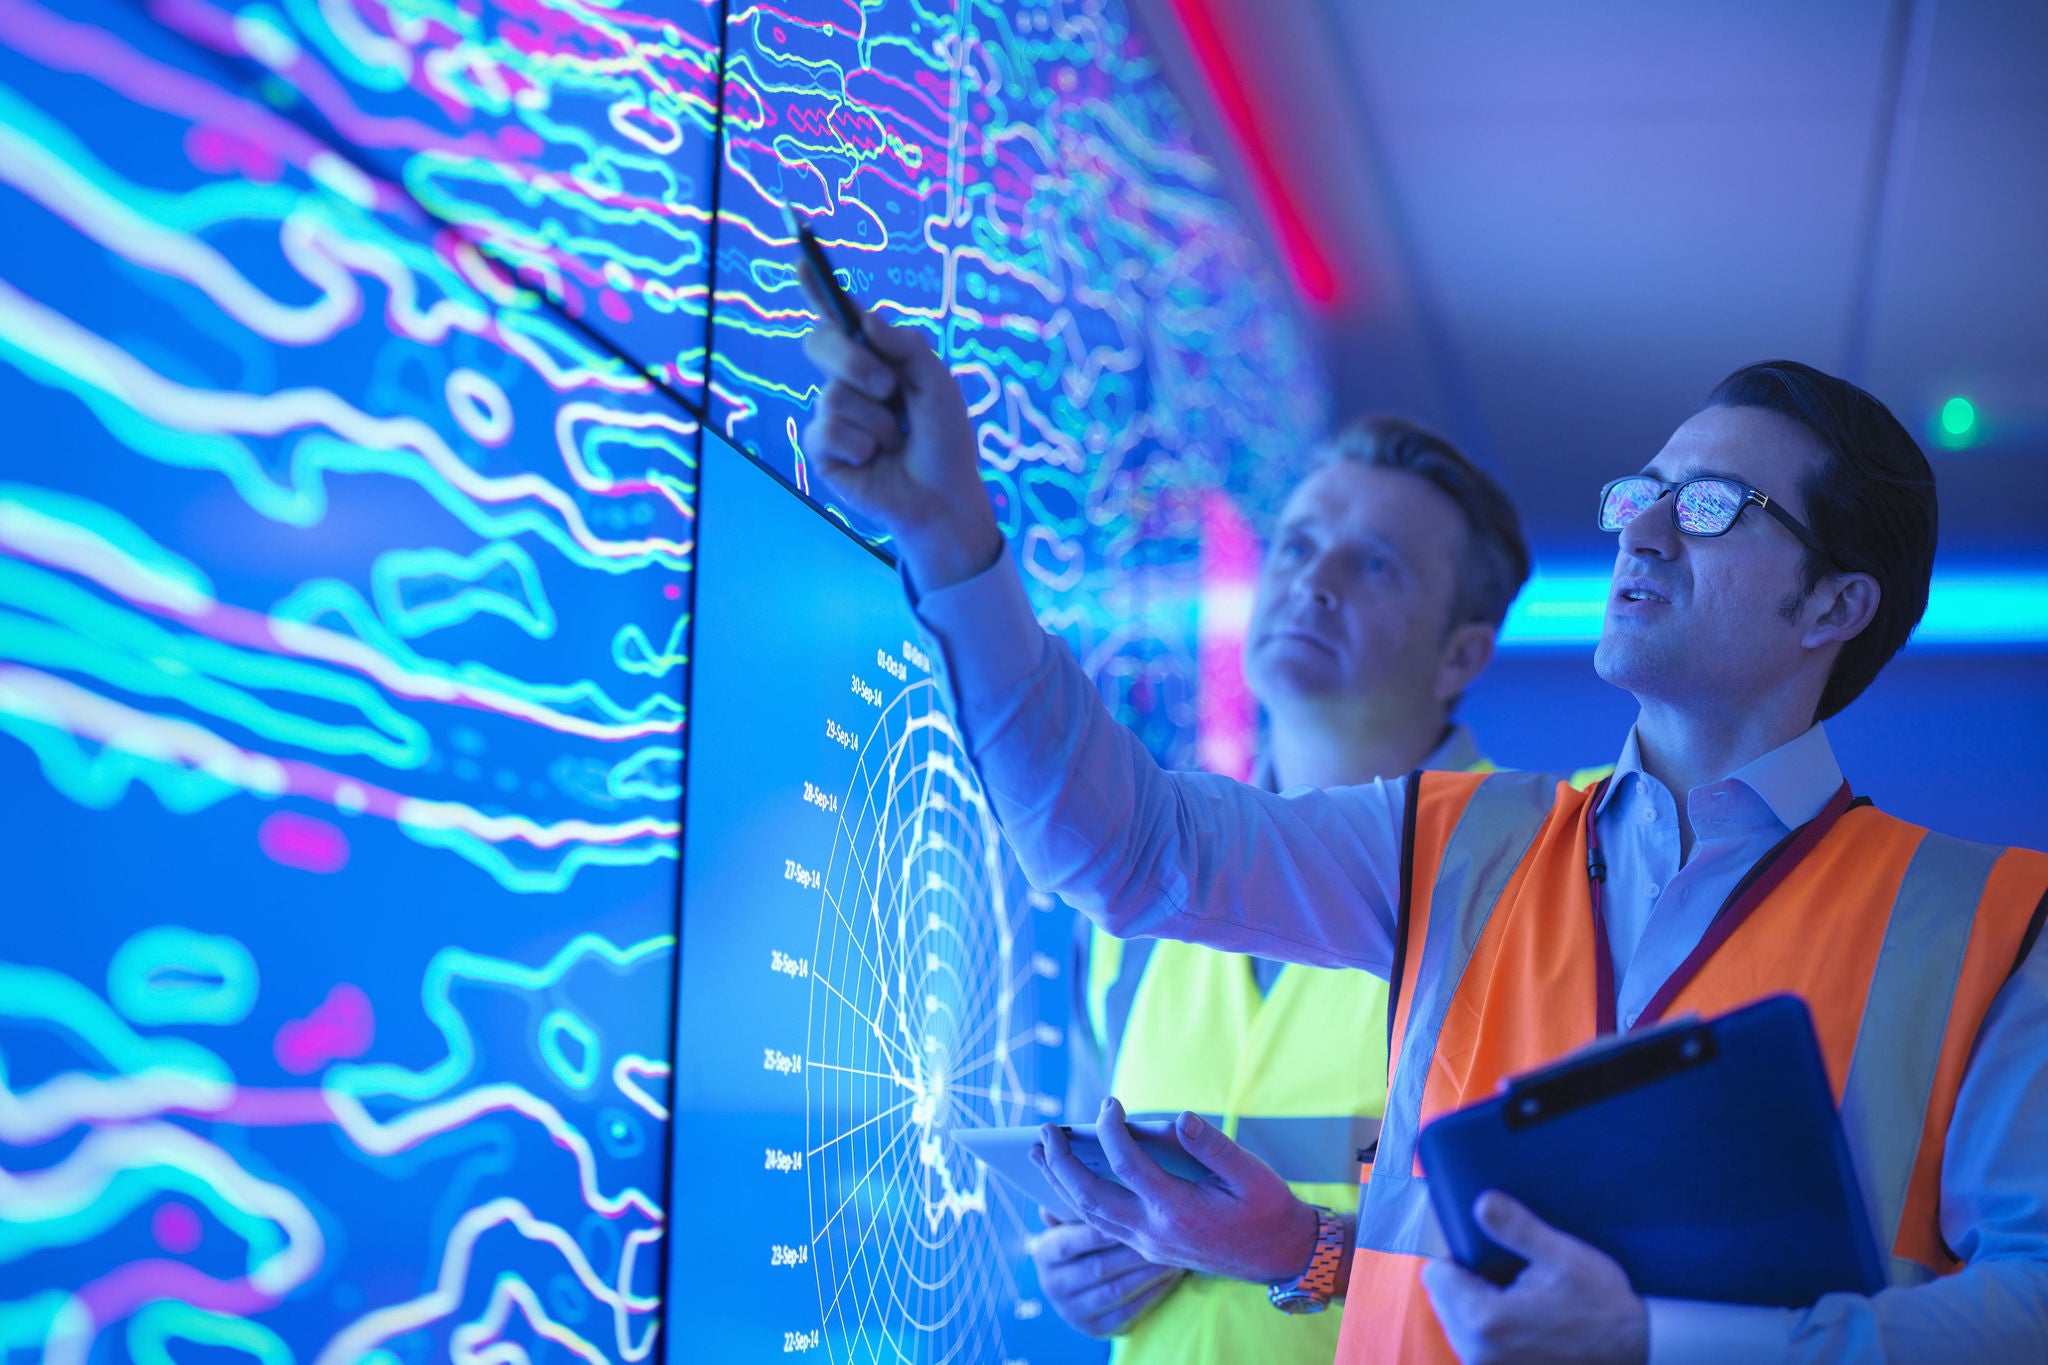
<point x="1019" y="183"/>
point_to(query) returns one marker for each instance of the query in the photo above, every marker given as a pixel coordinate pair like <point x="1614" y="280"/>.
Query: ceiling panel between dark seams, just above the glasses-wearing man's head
<point x="1598" y="277"/>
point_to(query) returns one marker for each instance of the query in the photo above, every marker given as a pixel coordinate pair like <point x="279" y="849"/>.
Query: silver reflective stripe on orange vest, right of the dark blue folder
<point x="1906" y="1022"/>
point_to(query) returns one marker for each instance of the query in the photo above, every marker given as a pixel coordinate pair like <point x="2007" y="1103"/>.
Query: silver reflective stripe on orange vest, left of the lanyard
<point x="1494" y="836"/>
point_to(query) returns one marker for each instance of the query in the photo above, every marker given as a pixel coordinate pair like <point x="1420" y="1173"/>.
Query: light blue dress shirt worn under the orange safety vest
<point x="1316" y="877"/>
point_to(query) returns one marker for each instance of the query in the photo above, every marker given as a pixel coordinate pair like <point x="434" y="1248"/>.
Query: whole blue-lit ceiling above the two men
<point x="1580" y="216"/>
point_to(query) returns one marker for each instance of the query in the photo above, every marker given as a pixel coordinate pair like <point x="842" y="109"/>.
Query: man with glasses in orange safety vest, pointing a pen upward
<point x="1773" y="558"/>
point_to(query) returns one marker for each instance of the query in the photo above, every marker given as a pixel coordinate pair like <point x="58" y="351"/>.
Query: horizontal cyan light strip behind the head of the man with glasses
<point x="1965" y="609"/>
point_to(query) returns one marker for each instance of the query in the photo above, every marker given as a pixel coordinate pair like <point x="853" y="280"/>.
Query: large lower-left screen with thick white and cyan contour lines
<point x="341" y="736"/>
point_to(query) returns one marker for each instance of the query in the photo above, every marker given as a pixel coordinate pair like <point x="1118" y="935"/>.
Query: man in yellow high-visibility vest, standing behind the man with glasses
<point x="1379" y="601"/>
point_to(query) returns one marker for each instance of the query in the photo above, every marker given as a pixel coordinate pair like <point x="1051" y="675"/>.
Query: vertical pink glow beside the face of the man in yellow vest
<point x="1228" y="717"/>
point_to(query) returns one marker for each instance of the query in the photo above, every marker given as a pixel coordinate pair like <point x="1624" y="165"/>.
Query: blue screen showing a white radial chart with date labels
<point x="861" y="969"/>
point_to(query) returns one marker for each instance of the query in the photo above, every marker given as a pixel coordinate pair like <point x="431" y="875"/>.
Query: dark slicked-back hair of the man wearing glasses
<point x="1871" y="502"/>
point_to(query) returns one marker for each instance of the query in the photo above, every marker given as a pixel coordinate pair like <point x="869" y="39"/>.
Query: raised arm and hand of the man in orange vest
<point x="1312" y="877"/>
